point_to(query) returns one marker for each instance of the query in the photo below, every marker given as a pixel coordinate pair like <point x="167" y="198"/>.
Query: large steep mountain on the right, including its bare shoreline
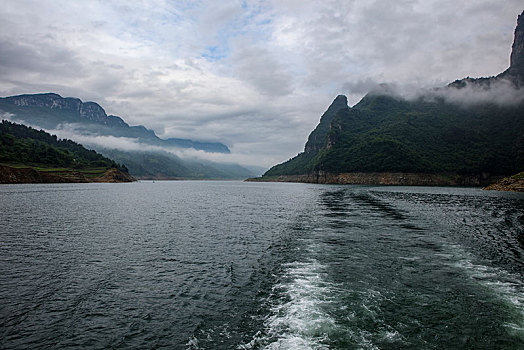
<point x="468" y="132"/>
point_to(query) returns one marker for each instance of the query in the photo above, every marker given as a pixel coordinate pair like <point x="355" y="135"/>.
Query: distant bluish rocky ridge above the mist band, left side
<point x="50" y="109"/>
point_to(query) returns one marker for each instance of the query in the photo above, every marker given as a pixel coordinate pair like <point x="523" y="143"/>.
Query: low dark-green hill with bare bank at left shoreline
<point x="29" y="155"/>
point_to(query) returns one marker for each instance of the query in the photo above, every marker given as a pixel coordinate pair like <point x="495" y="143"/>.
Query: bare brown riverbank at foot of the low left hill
<point x="29" y="174"/>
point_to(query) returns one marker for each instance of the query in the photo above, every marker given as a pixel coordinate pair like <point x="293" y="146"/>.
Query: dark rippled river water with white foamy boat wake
<point x="231" y="265"/>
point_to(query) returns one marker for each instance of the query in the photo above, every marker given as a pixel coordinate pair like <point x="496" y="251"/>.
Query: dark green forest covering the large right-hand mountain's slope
<point x="389" y="134"/>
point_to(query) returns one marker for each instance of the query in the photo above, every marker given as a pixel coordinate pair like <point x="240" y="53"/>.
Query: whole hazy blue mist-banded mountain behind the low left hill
<point x="151" y="157"/>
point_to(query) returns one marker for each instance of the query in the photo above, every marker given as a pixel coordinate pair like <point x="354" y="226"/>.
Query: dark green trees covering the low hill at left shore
<point x="22" y="146"/>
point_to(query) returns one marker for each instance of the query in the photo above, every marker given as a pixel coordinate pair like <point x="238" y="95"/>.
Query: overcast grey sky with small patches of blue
<point x="255" y="75"/>
